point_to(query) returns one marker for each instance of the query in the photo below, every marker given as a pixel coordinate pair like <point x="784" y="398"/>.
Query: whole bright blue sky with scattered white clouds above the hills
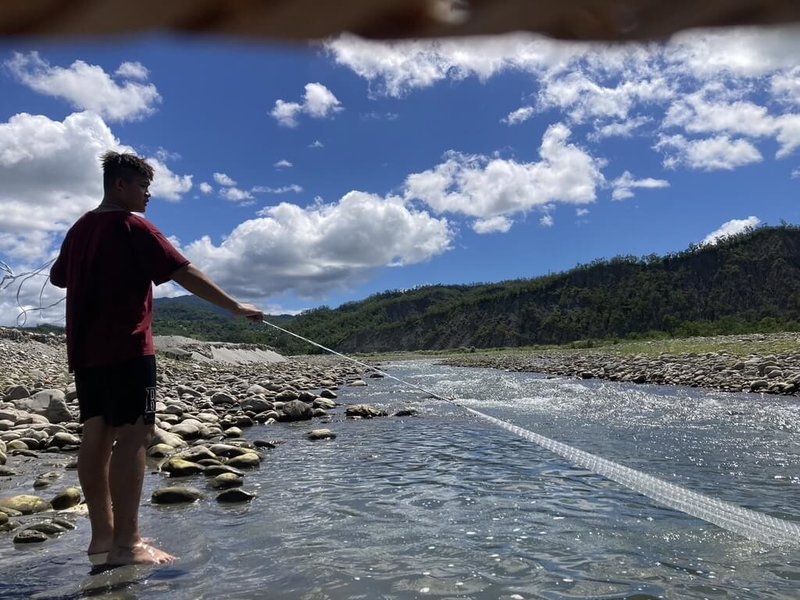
<point x="316" y="174"/>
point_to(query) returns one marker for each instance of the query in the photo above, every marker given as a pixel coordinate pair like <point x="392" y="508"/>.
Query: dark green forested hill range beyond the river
<point x="749" y="282"/>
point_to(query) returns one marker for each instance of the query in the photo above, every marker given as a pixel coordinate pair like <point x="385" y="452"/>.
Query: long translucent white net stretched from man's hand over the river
<point x="743" y="521"/>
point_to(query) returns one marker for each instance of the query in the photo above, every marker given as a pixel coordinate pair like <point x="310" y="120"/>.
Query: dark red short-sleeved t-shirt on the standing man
<point x="108" y="263"/>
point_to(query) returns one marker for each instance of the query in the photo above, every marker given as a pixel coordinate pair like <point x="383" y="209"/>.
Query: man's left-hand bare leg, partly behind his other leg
<point x="93" y="462"/>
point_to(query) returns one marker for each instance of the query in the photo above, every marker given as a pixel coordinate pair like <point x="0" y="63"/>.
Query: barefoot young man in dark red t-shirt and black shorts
<point x="108" y="262"/>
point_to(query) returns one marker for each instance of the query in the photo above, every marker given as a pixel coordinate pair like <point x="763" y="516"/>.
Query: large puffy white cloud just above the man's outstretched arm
<point x="308" y="250"/>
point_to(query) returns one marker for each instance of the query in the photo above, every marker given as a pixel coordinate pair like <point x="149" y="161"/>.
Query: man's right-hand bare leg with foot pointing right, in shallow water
<point x="126" y="477"/>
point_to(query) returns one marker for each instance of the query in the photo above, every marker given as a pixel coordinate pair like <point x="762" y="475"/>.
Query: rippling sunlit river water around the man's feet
<point x="445" y="505"/>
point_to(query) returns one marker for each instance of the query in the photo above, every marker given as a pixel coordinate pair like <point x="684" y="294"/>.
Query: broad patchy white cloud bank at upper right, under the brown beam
<point x="729" y="94"/>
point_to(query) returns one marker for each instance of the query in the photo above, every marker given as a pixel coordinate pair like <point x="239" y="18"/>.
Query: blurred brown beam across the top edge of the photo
<point x="282" y="20"/>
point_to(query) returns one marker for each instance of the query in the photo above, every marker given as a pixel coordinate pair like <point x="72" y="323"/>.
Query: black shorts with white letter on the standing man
<point x="121" y="393"/>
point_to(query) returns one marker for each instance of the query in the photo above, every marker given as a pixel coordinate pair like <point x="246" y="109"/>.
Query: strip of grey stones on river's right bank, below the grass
<point x="775" y="373"/>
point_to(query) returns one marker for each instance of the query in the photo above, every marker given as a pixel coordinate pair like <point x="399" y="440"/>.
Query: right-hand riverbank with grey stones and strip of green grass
<point x="759" y="363"/>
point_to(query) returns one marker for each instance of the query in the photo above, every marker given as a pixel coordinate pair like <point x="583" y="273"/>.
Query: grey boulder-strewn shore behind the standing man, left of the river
<point x="209" y="394"/>
